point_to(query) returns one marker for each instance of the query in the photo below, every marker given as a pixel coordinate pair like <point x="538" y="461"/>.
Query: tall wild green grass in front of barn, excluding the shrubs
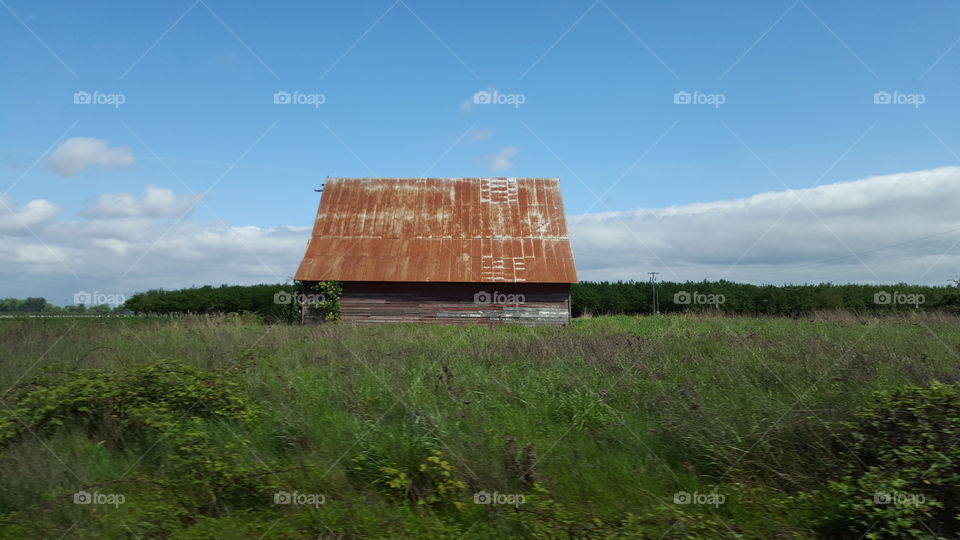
<point x="619" y="414"/>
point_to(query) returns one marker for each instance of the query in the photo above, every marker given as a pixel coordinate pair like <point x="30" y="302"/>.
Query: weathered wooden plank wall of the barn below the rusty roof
<point x="453" y="303"/>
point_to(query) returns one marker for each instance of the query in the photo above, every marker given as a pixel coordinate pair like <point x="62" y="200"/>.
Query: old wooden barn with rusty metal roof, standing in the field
<point x="443" y="250"/>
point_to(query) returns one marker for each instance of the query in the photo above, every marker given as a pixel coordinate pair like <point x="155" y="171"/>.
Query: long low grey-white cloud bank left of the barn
<point x="124" y="256"/>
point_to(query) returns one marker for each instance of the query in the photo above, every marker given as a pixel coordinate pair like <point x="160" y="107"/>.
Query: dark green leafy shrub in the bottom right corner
<point x="903" y="479"/>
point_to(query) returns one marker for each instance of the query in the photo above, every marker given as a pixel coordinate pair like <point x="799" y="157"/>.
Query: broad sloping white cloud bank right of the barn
<point x="892" y="228"/>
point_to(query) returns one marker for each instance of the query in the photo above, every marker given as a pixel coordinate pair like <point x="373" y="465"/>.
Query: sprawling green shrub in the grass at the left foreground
<point x="169" y="406"/>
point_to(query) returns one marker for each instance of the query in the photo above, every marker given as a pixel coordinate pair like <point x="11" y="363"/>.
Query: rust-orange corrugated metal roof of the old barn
<point x="440" y="230"/>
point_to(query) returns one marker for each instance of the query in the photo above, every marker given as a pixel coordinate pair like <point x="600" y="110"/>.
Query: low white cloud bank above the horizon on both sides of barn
<point x="903" y="227"/>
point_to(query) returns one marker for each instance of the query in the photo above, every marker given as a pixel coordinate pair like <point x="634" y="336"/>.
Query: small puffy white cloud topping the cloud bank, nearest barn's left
<point x="156" y="202"/>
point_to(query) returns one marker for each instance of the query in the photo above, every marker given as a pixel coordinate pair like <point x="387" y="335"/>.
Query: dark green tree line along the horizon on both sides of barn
<point x="281" y="301"/>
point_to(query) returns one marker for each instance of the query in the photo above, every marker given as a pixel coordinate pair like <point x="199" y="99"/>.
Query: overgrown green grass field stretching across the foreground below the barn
<point x="597" y="430"/>
